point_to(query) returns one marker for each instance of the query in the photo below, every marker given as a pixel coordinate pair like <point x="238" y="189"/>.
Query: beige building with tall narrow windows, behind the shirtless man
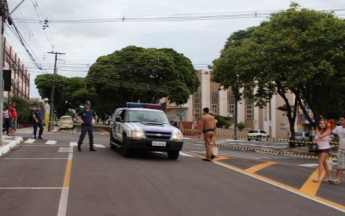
<point x="222" y="102"/>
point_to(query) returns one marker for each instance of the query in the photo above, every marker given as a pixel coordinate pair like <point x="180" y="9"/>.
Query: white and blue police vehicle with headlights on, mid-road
<point x="144" y="130"/>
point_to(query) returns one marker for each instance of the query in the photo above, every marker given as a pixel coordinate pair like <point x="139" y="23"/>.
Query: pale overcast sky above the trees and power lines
<point x="83" y="42"/>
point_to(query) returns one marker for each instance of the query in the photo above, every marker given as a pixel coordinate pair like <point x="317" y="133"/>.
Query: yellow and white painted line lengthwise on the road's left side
<point x="65" y="190"/>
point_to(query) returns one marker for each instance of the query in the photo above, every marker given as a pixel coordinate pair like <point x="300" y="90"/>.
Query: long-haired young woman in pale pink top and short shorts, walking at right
<point x="322" y="138"/>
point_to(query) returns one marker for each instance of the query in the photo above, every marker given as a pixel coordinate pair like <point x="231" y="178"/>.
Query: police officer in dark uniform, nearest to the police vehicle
<point x="86" y="117"/>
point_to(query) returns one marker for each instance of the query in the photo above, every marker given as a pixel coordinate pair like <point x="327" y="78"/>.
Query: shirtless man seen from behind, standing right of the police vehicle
<point x="208" y="128"/>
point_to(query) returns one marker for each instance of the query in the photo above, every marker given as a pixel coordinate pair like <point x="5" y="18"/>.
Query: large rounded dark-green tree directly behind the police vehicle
<point x="135" y="73"/>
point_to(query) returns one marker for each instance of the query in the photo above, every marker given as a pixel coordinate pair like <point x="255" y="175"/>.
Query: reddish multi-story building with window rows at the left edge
<point x="20" y="82"/>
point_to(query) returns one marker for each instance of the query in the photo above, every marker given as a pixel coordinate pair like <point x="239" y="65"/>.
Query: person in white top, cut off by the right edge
<point x="340" y="132"/>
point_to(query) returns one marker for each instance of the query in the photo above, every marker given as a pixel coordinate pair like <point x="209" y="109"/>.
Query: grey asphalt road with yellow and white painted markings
<point x="52" y="178"/>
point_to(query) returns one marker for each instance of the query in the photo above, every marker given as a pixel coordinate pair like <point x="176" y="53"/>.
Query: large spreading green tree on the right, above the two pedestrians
<point x="298" y="51"/>
